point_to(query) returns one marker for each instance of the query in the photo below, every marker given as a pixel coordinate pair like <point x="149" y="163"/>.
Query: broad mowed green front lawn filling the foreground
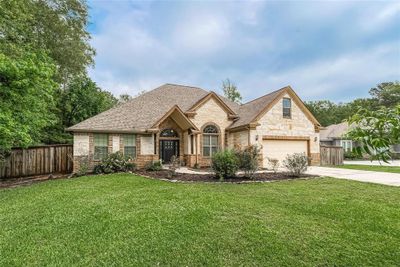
<point x="116" y="220"/>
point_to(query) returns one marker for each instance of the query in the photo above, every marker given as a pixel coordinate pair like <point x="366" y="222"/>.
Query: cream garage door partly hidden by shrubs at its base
<point x="279" y="149"/>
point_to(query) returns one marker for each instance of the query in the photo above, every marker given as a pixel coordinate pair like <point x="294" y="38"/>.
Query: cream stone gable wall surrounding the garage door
<point x="273" y="123"/>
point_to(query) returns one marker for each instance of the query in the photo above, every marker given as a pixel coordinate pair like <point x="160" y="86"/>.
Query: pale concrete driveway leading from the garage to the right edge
<point x="357" y="175"/>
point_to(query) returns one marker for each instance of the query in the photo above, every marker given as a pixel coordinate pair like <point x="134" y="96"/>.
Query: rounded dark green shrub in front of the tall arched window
<point x="225" y="164"/>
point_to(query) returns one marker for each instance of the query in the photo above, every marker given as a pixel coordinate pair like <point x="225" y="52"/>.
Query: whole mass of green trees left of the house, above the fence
<point x="44" y="56"/>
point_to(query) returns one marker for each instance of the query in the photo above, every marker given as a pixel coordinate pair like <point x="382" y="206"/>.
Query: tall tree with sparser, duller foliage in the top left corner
<point x="58" y="27"/>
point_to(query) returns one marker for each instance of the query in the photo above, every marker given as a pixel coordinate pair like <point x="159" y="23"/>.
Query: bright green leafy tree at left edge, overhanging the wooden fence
<point x="26" y="95"/>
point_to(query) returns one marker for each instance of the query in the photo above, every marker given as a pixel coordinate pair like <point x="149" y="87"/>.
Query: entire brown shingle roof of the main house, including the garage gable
<point x="145" y="111"/>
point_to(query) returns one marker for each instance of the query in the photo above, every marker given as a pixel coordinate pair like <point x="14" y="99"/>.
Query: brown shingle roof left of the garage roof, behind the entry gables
<point x="143" y="111"/>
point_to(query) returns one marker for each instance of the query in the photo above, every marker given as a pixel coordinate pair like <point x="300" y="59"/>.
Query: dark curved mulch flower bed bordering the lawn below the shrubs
<point x="189" y="177"/>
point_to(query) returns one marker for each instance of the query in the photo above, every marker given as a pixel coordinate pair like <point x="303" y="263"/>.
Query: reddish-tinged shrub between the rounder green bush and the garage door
<point x="248" y="160"/>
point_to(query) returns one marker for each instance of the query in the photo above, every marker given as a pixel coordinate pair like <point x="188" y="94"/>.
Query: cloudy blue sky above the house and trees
<point x="324" y="50"/>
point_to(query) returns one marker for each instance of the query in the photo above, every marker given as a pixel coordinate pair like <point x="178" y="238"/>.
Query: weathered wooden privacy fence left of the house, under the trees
<point x="37" y="160"/>
